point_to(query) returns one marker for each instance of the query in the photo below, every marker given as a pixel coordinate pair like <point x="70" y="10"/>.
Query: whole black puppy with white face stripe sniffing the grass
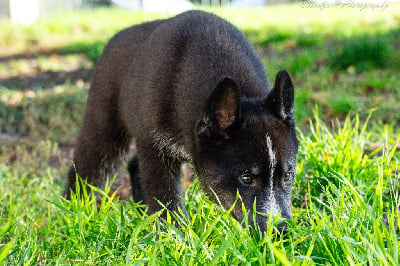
<point x="190" y="88"/>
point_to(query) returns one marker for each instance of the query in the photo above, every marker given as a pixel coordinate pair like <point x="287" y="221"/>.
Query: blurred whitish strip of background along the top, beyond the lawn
<point x="26" y="12"/>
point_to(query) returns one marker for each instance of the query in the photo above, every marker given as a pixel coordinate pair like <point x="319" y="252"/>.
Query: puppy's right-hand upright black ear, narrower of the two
<point x="280" y="100"/>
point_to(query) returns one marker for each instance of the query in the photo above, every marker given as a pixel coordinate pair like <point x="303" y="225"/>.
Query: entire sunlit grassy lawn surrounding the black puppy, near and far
<point x="345" y="63"/>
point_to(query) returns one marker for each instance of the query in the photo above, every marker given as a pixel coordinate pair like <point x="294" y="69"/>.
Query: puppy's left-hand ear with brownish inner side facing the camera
<point x="221" y="114"/>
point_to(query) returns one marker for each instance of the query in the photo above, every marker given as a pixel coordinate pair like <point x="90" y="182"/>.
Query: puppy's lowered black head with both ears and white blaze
<point x="249" y="146"/>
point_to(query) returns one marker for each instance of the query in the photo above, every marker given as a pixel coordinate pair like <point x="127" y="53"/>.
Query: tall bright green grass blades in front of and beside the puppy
<point x="346" y="212"/>
